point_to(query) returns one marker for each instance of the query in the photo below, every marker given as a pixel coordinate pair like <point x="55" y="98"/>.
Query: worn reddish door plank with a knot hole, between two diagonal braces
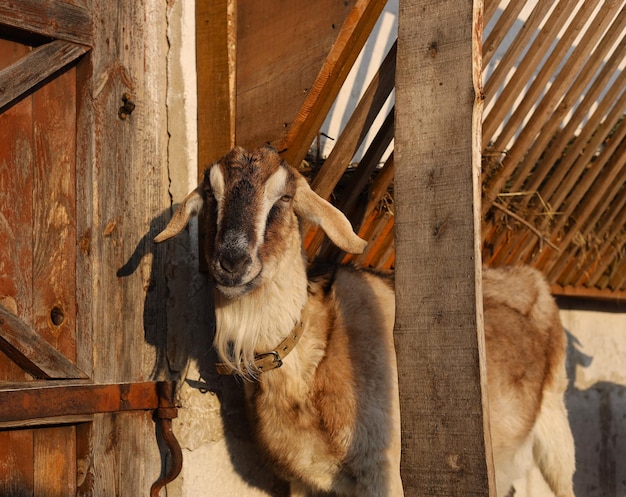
<point x="54" y="213"/>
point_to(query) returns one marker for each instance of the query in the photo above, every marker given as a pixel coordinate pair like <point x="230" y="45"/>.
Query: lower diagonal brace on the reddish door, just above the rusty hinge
<point x="23" y="345"/>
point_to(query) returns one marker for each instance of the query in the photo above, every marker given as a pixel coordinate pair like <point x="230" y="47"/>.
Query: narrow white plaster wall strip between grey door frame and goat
<point x="219" y="458"/>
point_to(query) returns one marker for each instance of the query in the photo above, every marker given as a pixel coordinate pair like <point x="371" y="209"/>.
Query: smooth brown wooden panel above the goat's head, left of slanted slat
<point x="281" y="47"/>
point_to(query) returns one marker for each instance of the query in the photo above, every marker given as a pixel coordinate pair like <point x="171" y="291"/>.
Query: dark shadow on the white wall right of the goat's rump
<point x="597" y="417"/>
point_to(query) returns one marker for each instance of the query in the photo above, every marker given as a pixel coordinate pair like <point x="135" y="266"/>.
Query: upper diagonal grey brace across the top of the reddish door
<point x="19" y="78"/>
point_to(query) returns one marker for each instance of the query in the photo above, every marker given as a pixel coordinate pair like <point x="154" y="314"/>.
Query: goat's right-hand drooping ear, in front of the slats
<point x="310" y="206"/>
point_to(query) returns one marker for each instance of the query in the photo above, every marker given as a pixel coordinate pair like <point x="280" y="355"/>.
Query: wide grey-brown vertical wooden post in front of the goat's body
<point x="446" y="449"/>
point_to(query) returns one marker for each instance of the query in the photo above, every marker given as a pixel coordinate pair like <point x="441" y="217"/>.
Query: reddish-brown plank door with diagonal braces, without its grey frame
<point x="37" y="260"/>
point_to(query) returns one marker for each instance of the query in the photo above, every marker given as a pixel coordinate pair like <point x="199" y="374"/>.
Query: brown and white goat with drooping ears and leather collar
<point x="317" y="349"/>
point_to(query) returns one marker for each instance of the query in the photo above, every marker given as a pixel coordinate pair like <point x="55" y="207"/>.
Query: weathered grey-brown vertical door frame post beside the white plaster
<point x="124" y="194"/>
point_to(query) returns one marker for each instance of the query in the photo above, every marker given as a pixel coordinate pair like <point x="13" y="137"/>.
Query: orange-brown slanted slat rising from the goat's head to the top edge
<point x="351" y="38"/>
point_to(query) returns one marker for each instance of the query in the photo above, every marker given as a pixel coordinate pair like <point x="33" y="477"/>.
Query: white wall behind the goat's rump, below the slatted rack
<point x="596" y="400"/>
